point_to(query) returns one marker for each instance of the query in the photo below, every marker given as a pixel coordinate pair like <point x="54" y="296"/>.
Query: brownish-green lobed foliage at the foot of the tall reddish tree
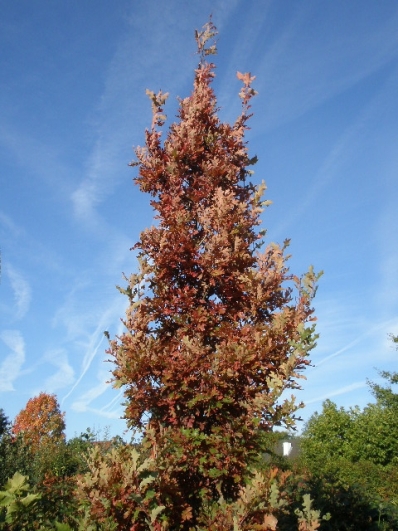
<point x="125" y="491"/>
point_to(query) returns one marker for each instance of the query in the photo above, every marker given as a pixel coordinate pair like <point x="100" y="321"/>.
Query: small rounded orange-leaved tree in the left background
<point x="40" y="422"/>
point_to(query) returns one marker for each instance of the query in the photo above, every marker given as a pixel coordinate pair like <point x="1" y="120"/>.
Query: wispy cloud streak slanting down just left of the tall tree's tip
<point x="120" y="121"/>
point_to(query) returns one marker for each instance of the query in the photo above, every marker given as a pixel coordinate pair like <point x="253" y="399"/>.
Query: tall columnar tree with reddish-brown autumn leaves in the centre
<point x="216" y="329"/>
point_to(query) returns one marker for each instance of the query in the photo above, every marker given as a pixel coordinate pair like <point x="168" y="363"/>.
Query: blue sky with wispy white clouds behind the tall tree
<point x="72" y="104"/>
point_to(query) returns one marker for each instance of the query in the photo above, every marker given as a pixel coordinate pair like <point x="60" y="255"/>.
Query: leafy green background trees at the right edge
<point x="351" y="457"/>
